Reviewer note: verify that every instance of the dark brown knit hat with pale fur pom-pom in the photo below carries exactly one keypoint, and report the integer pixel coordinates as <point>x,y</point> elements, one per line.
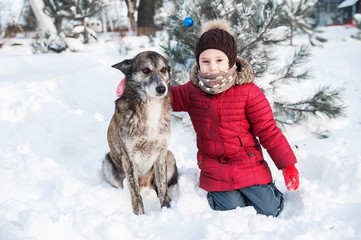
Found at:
<point>217,34</point>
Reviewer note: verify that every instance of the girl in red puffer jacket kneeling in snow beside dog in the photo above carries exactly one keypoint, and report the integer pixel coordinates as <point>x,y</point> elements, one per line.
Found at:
<point>228,111</point>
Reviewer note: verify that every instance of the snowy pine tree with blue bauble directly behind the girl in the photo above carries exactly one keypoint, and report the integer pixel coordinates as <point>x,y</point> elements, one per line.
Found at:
<point>258,30</point>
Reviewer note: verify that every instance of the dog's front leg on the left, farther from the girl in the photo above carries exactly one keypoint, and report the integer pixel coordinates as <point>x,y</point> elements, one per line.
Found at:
<point>132,177</point>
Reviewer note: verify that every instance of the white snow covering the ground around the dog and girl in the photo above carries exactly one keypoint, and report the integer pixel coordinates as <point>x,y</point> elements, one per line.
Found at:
<point>54,114</point>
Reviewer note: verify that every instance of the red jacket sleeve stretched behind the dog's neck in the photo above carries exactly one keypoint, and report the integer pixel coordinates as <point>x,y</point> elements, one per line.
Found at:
<point>180,97</point>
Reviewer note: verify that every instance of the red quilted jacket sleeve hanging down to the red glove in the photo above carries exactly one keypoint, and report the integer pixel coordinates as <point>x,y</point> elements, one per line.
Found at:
<point>260,116</point>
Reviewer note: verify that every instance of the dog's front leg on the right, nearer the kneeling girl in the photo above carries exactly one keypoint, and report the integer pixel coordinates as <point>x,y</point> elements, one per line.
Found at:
<point>160,170</point>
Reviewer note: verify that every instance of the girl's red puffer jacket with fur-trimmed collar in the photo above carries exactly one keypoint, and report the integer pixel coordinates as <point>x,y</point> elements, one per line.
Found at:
<point>229,155</point>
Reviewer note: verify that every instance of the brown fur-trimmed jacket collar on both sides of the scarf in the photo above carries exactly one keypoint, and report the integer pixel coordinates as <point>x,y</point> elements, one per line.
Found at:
<point>245,73</point>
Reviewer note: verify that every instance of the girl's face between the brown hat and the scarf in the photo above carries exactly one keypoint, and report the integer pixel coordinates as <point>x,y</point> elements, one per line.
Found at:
<point>213,61</point>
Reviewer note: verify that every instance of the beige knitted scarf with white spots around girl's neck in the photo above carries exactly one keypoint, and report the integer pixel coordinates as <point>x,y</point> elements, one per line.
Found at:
<point>217,82</point>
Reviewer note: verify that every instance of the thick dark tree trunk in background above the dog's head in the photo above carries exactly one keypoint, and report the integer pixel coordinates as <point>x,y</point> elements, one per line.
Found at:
<point>146,13</point>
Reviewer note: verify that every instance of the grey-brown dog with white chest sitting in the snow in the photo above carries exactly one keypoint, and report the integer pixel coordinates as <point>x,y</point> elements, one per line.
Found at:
<point>139,131</point>
